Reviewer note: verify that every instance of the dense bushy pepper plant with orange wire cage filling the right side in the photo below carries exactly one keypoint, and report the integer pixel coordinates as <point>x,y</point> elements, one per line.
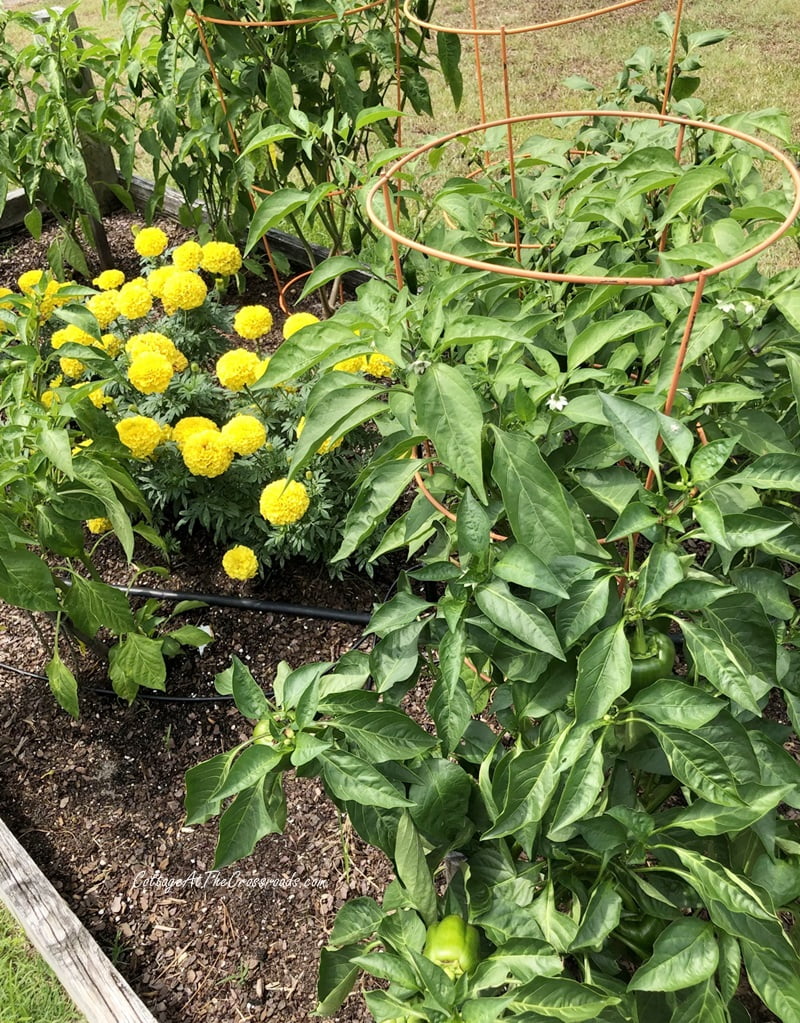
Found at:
<point>600,608</point>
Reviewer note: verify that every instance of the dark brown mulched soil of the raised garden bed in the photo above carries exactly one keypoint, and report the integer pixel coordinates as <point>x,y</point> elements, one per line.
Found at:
<point>99,803</point>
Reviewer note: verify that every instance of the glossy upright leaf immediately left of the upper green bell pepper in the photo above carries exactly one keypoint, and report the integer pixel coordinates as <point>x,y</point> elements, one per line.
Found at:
<point>604,675</point>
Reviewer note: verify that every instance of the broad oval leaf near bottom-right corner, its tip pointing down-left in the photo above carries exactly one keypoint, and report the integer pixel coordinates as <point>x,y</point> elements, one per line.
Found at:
<point>685,954</point>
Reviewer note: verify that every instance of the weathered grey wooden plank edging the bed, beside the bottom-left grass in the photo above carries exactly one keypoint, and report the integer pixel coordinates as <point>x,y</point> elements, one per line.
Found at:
<point>76,959</point>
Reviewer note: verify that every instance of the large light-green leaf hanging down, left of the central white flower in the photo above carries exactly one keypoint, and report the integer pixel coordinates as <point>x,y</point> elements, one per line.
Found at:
<point>450,413</point>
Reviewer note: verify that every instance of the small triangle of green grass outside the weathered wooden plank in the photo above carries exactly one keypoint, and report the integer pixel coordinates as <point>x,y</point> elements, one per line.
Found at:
<point>29,992</point>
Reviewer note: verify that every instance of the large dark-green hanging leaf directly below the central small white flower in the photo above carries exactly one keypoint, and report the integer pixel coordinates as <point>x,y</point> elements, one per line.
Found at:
<point>534,498</point>
